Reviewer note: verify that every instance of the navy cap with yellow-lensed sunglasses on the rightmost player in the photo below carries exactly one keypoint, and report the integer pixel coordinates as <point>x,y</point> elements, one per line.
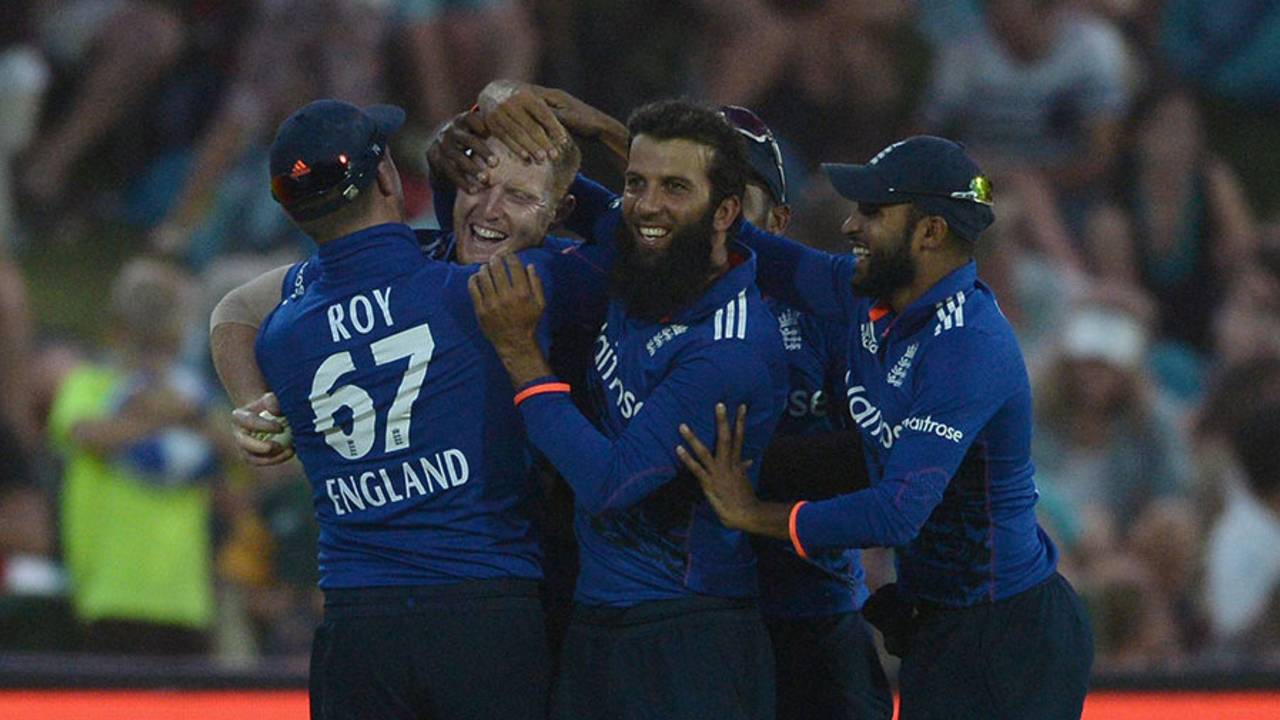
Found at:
<point>932,172</point>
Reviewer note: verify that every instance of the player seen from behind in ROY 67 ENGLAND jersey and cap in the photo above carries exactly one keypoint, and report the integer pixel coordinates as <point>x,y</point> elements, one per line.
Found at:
<point>403,418</point>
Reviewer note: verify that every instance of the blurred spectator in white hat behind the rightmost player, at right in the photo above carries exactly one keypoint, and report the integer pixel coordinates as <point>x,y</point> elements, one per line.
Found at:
<point>1104,445</point>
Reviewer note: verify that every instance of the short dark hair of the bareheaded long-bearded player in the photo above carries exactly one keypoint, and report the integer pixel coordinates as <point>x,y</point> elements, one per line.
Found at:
<point>683,120</point>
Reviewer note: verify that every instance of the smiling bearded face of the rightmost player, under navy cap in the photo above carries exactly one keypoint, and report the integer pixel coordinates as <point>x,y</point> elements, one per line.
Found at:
<point>881,238</point>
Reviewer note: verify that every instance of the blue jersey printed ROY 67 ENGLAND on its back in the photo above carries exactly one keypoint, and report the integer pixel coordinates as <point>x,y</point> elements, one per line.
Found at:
<point>403,414</point>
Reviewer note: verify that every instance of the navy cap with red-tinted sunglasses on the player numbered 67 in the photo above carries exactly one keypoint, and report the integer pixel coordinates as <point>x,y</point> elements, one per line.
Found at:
<point>326,154</point>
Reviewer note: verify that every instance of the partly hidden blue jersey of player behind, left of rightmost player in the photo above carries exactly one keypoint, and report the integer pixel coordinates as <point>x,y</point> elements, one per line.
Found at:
<point>833,582</point>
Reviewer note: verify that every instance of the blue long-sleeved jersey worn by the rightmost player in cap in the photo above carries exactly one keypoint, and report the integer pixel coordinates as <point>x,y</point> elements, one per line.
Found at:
<point>943,403</point>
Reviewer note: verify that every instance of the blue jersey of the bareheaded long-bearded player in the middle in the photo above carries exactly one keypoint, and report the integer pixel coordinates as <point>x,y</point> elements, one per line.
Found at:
<point>644,530</point>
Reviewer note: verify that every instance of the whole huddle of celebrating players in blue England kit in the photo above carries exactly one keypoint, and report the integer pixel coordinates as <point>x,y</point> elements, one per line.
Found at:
<point>737,416</point>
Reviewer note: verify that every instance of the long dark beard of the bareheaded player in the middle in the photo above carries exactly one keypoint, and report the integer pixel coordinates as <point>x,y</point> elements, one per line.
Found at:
<point>656,286</point>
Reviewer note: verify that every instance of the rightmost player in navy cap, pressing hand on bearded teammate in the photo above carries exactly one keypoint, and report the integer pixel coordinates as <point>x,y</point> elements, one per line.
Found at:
<point>939,390</point>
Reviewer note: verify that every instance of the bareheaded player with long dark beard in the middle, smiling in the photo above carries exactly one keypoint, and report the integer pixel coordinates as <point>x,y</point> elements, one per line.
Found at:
<point>666,621</point>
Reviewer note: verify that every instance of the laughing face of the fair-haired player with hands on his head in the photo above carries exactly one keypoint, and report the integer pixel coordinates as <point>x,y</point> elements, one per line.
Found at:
<point>513,213</point>
